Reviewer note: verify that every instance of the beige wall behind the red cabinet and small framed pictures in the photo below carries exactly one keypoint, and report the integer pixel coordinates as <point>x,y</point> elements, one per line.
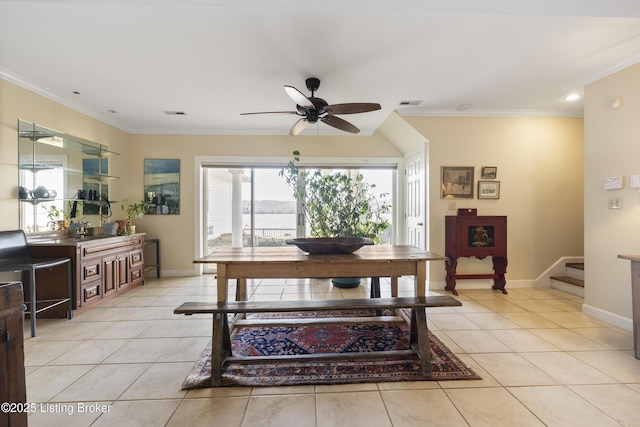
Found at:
<point>540,170</point>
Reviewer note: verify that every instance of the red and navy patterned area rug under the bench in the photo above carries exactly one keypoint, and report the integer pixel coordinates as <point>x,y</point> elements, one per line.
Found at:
<point>318,339</point>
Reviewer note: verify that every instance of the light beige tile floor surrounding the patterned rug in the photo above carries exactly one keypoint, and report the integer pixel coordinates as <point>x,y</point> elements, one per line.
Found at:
<point>542,362</point>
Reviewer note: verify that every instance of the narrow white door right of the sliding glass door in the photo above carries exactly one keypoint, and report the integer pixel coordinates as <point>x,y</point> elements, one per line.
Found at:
<point>415,198</point>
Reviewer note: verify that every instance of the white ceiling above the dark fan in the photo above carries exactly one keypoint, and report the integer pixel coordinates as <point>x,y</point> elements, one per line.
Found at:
<point>214,59</point>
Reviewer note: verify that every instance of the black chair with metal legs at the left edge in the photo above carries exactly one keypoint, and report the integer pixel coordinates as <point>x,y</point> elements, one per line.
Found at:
<point>14,256</point>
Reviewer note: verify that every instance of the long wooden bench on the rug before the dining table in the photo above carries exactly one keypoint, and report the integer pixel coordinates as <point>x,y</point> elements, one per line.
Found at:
<point>221,341</point>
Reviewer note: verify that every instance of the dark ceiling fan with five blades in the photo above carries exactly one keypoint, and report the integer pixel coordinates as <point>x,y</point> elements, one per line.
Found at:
<point>313,109</point>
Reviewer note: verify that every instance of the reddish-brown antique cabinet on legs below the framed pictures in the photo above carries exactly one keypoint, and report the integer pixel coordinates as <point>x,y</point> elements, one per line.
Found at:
<point>479,237</point>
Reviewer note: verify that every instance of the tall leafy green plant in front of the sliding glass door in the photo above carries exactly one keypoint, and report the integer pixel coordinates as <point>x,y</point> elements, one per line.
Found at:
<point>337,204</point>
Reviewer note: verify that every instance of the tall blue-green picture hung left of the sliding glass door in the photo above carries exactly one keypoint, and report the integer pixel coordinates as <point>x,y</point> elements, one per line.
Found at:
<point>162,186</point>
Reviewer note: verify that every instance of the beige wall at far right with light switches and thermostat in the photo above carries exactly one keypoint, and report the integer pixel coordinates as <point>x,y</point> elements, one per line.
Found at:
<point>612,148</point>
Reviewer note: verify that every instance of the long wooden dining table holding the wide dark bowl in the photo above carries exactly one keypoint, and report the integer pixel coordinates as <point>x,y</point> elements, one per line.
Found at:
<point>285,262</point>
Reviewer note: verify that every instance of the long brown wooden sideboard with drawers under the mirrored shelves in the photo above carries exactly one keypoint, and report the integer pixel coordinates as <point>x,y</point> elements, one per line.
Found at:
<point>104,267</point>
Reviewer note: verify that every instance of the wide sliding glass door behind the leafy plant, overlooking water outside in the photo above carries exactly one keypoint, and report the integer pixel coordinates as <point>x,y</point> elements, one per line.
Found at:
<point>253,205</point>
